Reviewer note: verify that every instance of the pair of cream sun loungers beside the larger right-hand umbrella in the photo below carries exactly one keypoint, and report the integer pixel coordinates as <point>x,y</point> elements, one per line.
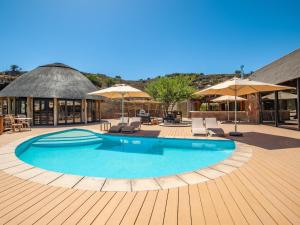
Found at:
<point>210,127</point>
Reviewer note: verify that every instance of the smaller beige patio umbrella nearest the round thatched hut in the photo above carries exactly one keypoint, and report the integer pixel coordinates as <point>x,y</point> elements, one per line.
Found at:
<point>120,91</point>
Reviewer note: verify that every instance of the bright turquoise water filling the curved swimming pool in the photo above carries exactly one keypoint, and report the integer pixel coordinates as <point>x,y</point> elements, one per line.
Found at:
<point>83,152</point>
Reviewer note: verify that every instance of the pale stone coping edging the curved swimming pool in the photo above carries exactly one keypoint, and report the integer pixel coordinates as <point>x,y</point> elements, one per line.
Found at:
<point>11,164</point>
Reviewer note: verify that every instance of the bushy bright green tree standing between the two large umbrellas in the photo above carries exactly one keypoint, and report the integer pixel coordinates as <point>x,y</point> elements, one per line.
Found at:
<point>170,90</point>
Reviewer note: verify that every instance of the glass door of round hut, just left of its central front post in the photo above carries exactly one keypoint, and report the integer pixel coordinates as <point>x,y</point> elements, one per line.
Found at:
<point>43,111</point>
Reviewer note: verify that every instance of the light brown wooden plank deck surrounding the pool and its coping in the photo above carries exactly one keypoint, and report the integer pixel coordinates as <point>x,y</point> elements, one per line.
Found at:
<point>266,190</point>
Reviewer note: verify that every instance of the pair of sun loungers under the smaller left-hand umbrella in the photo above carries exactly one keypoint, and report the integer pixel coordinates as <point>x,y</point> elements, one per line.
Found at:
<point>125,127</point>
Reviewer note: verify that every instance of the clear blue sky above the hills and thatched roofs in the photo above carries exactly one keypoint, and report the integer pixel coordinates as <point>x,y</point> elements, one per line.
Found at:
<point>139,39</point>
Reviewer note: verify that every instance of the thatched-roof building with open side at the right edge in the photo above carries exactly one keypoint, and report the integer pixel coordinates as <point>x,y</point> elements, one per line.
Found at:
<point>280,110</point>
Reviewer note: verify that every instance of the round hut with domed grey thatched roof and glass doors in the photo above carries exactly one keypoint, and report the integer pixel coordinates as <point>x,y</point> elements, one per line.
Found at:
<point>52,94</point>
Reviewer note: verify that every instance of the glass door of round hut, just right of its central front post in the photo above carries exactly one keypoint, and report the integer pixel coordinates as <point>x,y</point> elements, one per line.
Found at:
<point>69,111</point>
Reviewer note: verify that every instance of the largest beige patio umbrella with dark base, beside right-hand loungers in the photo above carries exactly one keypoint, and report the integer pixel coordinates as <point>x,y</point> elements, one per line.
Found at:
<point>236,87</point>
